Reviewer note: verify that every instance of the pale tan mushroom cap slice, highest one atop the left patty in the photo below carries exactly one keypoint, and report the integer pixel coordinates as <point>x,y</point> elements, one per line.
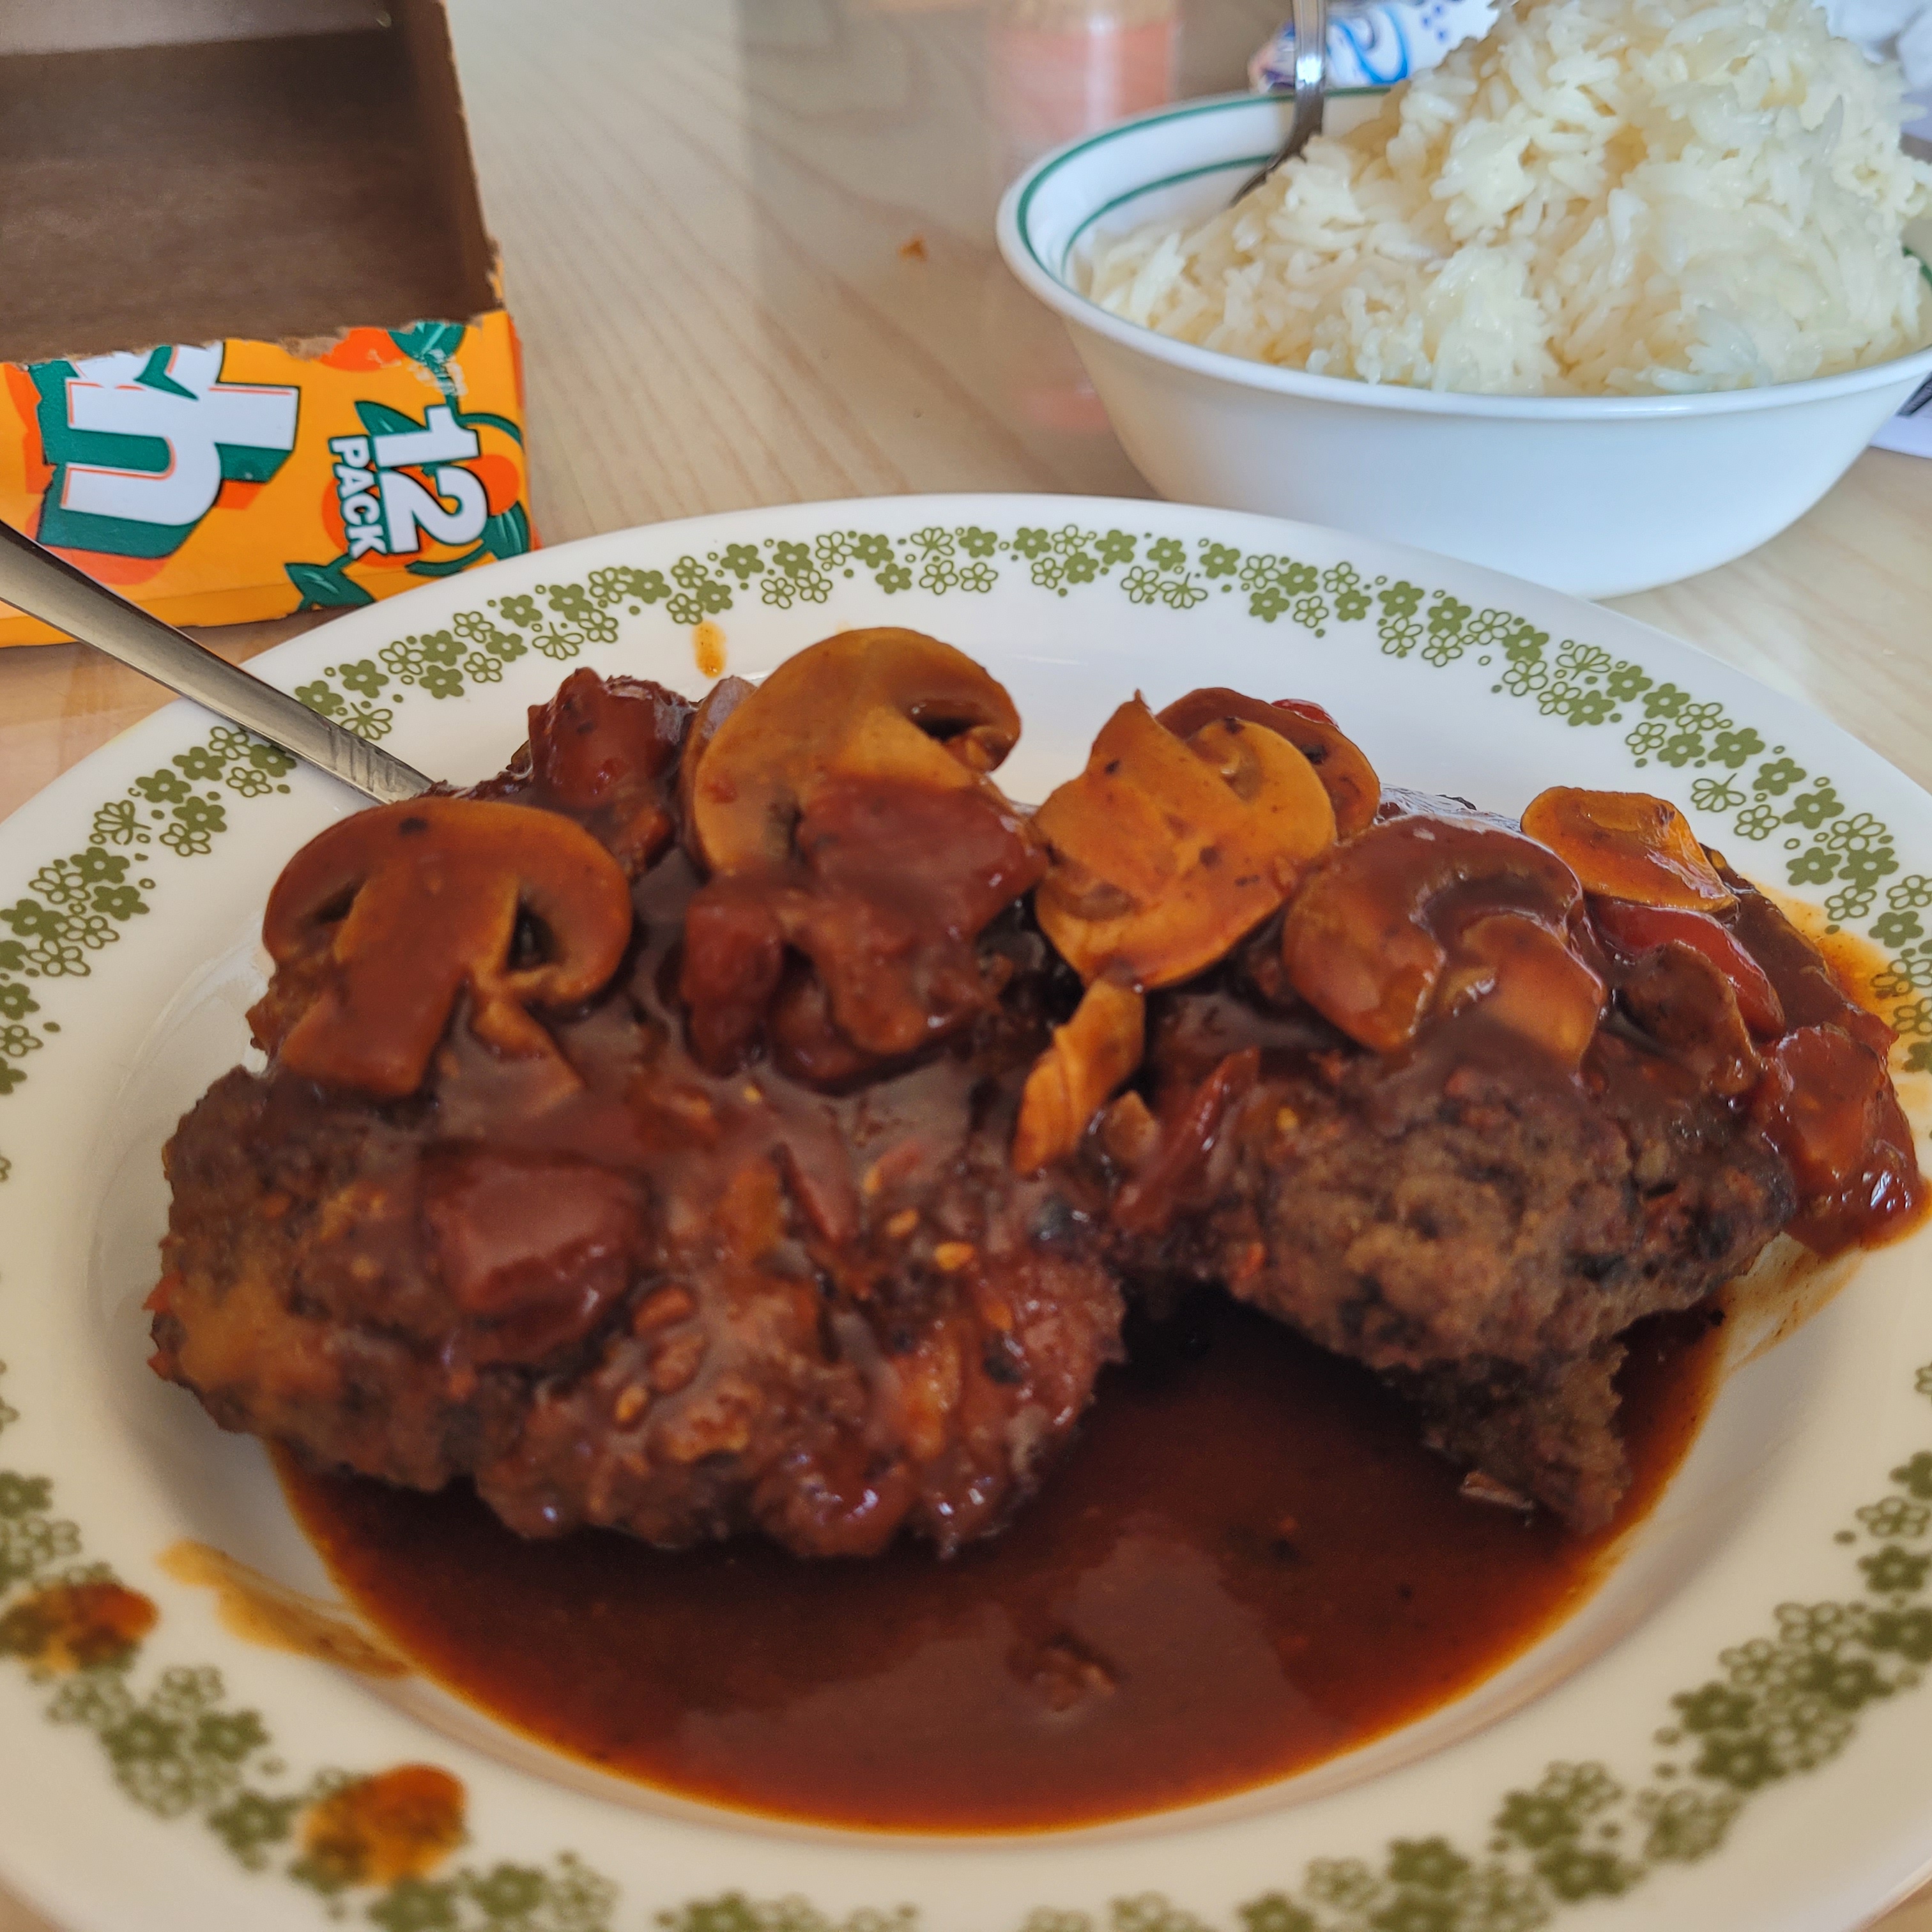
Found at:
<point>868,704</point>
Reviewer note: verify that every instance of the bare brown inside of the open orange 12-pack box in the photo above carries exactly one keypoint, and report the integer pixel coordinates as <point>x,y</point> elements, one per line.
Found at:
<point>270,188</point>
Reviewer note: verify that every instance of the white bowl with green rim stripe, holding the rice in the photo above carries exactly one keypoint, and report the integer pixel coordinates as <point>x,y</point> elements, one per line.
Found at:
<point>1595,496</point>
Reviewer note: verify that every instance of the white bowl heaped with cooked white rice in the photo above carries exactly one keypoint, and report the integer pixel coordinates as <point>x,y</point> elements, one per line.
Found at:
<point>1608,298</point>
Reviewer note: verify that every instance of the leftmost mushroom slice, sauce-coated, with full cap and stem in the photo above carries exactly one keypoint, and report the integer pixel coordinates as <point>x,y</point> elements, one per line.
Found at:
<point>397,913</point>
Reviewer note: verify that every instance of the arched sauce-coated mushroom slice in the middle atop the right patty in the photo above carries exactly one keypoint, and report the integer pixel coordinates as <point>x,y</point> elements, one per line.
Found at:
<point>1361,940</point>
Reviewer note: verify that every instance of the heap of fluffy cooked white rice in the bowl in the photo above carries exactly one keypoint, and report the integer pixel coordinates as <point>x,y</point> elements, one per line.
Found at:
<point>1603,196</point>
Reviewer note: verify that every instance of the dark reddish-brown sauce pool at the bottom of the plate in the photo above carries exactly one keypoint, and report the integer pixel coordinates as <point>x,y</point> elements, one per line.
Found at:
<point>1245,1566</point>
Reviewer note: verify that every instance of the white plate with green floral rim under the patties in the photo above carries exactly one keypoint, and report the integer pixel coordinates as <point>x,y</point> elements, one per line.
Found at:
<point>1730,1736</point>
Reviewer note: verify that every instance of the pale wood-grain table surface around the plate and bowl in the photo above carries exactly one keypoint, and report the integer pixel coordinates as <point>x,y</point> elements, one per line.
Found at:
<point>751,254</point>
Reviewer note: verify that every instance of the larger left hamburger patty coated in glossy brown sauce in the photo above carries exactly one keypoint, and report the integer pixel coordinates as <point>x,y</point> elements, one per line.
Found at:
<point>640,1292</point>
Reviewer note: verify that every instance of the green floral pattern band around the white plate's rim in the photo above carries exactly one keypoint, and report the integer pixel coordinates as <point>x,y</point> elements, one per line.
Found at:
<point>1776,1705</point>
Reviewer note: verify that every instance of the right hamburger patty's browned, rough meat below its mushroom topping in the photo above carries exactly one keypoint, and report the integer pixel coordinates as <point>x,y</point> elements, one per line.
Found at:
<point>1467,1224</point>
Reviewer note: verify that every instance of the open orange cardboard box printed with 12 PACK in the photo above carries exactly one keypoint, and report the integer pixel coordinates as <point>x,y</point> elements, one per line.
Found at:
<point>254,355</point>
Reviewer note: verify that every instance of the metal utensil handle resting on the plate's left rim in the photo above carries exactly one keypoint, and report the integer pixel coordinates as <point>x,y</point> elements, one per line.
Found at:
<point>45,586</point>
